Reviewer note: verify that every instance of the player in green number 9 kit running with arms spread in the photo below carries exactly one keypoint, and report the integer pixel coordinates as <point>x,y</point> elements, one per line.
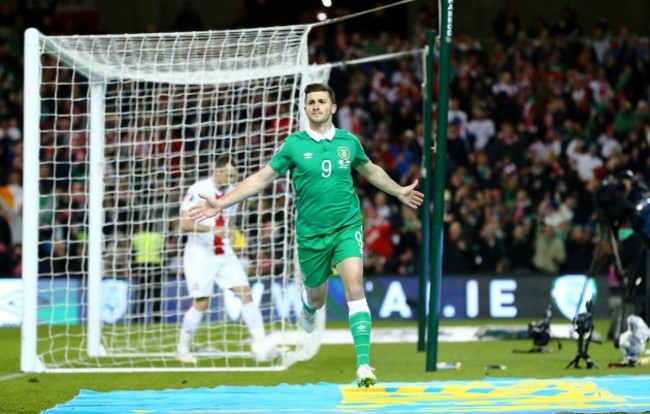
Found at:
<point>328,225</point>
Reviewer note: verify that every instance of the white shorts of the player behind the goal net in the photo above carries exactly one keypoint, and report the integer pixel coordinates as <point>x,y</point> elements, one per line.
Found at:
<point>203,268</point>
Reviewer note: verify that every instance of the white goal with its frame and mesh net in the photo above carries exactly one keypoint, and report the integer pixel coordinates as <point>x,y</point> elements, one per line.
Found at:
<point>117,127</point>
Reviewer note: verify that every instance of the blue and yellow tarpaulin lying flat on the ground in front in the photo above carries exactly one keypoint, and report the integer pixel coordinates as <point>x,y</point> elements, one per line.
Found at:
<point>627,393</point>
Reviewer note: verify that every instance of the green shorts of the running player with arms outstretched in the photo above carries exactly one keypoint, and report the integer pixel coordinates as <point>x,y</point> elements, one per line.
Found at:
<point>317,254</point>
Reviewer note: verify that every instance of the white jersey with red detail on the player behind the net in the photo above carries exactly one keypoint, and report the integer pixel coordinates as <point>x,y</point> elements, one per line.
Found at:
<point>191,198</point>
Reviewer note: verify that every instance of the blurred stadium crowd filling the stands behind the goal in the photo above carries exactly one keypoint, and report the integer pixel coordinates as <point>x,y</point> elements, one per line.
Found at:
<point>538,117</point>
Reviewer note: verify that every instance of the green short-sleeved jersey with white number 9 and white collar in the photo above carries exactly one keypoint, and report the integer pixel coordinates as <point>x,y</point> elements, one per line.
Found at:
<point>322,180</point>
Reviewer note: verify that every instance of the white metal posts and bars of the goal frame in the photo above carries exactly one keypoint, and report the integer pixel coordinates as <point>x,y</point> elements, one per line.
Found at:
<point>36,45</point>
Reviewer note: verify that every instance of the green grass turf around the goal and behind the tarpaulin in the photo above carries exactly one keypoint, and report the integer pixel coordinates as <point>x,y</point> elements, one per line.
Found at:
<point>32,393</point>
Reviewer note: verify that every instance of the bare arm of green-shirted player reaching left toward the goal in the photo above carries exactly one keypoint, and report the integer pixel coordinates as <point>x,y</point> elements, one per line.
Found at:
<point>252,185</point>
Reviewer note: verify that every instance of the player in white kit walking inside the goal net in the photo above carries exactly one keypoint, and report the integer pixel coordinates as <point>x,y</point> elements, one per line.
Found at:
<point>208,258</point>
